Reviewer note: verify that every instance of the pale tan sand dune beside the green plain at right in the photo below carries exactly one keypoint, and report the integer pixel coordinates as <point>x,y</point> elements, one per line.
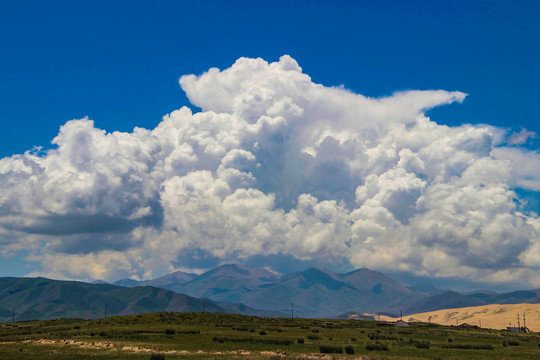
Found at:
<point>488,316</point>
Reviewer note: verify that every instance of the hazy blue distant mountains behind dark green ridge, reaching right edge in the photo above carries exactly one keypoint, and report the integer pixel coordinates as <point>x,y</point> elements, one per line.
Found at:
<point>318,292</point>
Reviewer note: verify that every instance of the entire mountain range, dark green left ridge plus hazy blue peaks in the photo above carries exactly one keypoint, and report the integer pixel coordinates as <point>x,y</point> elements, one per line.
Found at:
<point>233,288</point>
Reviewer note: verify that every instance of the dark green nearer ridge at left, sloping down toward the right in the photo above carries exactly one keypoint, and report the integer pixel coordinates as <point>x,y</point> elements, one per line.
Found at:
<point>40,298</point>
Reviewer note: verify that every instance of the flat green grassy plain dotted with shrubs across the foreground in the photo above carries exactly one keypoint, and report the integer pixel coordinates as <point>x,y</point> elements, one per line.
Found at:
<point>224,336</point>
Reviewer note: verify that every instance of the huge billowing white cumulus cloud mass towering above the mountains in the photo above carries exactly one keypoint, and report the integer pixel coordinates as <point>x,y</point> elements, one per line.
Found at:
<point>276,165</point>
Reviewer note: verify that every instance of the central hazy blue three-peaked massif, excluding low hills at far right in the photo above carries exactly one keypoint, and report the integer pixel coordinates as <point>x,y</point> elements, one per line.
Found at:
<point>315,292</point>
